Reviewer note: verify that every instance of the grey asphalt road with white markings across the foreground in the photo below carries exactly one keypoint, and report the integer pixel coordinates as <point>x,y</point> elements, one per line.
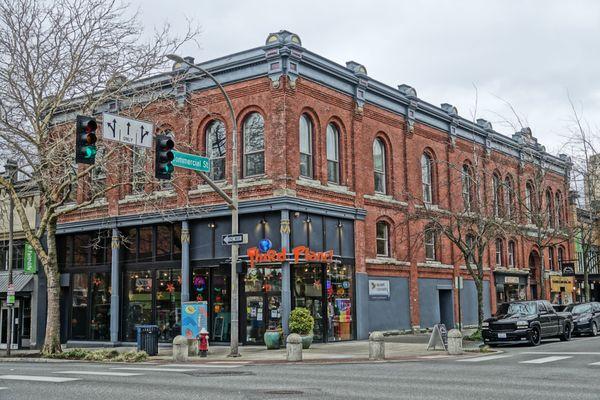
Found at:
<point>551,371</point>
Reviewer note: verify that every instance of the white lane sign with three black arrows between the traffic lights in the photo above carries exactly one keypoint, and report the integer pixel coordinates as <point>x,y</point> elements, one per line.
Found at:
<point>127,130</point>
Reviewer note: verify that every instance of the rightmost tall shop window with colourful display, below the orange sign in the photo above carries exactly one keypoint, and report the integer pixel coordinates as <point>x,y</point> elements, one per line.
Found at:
<point>339,290</point>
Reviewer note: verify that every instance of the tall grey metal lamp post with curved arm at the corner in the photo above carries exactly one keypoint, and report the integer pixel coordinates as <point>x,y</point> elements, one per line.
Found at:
<point>233,352</point>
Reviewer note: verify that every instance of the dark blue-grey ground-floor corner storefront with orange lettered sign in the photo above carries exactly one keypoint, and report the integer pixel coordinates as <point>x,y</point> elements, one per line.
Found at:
<point>153,280</point>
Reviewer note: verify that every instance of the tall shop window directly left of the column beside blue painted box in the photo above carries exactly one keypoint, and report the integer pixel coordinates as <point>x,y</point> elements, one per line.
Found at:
<point>168,302</point>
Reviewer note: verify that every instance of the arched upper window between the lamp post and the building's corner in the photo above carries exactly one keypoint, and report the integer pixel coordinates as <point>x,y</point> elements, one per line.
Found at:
<point>254,145</point>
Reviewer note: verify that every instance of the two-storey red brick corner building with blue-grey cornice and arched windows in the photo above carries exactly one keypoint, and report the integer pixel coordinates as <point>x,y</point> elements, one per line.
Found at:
<point>329,159</point>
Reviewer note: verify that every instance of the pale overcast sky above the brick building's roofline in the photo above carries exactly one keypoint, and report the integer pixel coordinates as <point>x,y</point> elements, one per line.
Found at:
<point>532,54</point>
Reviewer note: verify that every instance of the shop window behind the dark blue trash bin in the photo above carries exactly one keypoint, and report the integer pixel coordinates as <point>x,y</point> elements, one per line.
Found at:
<point>138,289</point>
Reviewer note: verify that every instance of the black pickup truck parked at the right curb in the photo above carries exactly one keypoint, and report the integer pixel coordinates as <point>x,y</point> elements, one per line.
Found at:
<point>527,321</point>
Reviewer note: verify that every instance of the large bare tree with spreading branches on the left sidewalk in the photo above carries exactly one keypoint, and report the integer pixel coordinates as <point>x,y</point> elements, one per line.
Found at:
<point>57,59</point>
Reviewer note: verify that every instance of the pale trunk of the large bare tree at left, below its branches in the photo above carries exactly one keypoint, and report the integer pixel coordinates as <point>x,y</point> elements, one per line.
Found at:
<point>52,339</point>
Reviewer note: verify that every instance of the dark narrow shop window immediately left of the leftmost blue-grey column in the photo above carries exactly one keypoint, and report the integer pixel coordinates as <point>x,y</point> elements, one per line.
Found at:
<point>100,310</point>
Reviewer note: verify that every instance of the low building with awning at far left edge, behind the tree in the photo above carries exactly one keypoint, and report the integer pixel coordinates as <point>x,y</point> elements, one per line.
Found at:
<point>30,302</point>
